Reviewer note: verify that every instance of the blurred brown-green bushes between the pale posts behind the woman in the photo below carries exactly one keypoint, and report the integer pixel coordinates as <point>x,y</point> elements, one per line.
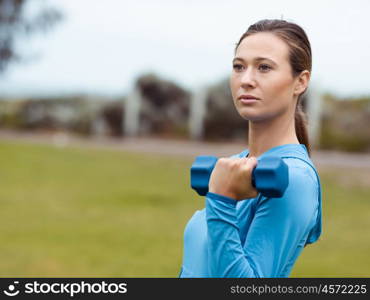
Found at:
<point>164,112</point>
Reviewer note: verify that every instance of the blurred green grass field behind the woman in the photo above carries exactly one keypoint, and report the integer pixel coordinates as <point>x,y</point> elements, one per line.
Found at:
<point>103,213</point>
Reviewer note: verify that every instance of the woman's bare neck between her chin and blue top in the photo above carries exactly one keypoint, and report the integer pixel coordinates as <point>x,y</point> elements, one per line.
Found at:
<point>264,135</point>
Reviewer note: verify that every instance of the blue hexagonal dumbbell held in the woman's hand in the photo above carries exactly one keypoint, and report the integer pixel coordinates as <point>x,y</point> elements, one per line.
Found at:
<point>269,177</point>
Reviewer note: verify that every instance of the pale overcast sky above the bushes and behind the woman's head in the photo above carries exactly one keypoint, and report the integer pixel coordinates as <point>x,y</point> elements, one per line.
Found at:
<point>102,46</point>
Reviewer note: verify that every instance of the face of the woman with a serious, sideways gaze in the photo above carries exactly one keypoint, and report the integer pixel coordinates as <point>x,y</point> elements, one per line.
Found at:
<point>261,69</point>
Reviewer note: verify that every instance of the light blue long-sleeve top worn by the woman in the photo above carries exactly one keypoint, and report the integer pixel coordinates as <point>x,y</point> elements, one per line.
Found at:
<point>256,237</point>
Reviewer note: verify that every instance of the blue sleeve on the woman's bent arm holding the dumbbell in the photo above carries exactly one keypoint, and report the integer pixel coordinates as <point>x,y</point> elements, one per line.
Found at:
<point>278,226</point>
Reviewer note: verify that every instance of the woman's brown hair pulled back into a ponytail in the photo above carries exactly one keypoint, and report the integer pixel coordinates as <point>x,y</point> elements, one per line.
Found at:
<point>300,57</point>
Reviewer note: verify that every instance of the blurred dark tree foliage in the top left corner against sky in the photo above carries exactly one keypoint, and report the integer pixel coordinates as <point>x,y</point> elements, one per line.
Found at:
<point>16,22</point>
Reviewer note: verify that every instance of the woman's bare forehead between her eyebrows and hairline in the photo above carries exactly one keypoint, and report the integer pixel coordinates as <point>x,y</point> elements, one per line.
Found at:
<point>264,44</point>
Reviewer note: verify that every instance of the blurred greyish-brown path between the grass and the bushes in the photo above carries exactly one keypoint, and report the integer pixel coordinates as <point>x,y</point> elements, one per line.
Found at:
<point>178,147</point>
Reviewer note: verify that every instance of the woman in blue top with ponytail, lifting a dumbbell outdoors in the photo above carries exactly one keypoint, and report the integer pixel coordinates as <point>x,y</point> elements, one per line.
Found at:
<point>241,233</point>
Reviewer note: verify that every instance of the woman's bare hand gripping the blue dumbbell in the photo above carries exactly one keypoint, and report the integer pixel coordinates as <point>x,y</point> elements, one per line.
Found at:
<point>232,177</point>
